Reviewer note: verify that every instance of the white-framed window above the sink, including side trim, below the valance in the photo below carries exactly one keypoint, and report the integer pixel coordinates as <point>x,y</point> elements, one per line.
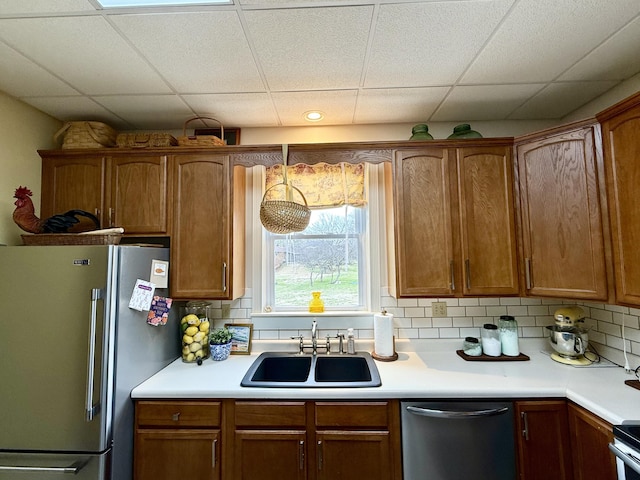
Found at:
<point>282,283</point>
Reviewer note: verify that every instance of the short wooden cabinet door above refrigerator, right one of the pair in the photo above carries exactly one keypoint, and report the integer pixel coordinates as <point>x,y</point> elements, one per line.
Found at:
<point>138,196</point>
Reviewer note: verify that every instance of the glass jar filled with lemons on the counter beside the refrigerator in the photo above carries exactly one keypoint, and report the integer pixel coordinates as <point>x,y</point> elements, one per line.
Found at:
<point>194,332</point>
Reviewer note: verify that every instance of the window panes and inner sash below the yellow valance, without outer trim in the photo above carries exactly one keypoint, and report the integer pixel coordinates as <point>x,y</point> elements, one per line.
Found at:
<point>328,257</point>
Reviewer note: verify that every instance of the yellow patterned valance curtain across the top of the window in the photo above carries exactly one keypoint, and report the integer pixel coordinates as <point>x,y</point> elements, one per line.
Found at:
<point>323,185</point>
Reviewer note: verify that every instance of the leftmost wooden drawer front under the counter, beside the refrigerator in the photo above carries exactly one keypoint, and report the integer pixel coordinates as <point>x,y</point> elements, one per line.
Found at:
<point>178,414</point>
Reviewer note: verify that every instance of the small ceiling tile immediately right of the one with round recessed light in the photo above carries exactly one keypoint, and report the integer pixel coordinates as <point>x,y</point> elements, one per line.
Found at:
<point>400,105</point>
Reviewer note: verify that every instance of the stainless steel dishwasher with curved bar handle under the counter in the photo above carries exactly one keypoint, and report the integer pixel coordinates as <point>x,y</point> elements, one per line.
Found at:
<point>461,439</point>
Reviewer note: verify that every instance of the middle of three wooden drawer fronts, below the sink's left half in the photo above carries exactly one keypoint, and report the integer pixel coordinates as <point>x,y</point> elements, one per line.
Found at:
<point>270,414</point>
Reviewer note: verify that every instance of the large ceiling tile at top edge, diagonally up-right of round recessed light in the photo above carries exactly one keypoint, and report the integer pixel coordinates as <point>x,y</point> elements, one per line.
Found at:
<point>429,44</point>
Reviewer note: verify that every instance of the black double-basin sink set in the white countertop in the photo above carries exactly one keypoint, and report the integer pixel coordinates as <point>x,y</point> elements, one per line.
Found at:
<point>291,370</point>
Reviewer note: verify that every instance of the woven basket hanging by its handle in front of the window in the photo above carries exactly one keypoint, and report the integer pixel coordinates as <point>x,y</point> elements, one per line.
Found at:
<point>284,216</point>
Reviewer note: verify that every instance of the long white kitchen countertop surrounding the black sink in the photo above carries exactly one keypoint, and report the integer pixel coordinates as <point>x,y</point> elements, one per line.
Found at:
<point>435,372</point>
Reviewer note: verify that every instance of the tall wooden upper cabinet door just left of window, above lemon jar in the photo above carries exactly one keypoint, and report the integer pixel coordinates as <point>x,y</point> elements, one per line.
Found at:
<point>200,234</point>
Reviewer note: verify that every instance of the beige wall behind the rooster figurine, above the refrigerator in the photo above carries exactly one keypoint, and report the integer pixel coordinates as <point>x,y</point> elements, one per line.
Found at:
<point>23,130</point>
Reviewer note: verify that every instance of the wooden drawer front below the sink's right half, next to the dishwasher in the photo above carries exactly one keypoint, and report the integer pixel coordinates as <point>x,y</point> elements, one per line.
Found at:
<point>352,414</point>
